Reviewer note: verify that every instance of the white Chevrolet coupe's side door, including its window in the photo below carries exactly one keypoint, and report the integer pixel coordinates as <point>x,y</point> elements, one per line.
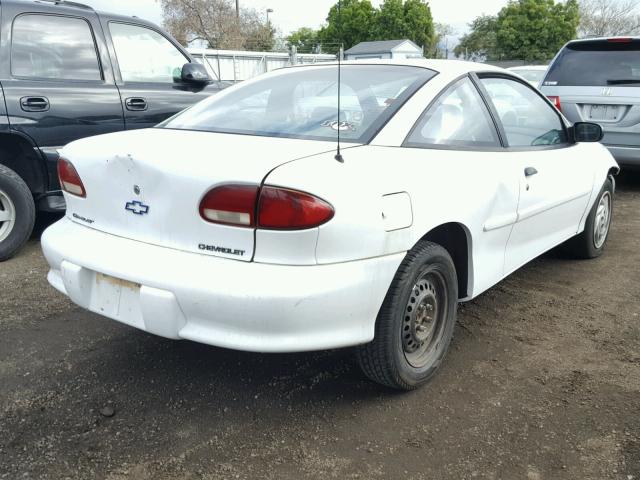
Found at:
<point>555,178</point>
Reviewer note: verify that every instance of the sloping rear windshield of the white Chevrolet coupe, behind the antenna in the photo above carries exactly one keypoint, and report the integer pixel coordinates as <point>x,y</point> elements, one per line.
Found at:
<point>303,103</point>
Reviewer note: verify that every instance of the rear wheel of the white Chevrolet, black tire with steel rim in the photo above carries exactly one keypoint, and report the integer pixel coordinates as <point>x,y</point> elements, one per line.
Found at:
<point>389,359</point>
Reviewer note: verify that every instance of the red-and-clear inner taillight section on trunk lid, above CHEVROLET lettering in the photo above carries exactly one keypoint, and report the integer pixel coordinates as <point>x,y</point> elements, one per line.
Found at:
<point>231,205</point>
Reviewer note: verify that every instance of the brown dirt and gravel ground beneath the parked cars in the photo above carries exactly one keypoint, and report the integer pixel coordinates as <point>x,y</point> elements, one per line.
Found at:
<point>543,382</point>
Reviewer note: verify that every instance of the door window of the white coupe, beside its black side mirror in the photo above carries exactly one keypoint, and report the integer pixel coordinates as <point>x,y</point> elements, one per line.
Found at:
<point>527,119</point>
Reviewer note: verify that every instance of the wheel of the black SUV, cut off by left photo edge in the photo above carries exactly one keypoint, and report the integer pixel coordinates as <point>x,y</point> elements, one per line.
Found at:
<point>18,193</point>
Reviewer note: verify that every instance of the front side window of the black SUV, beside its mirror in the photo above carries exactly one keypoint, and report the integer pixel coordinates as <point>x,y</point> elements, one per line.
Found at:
<point>144,55</point>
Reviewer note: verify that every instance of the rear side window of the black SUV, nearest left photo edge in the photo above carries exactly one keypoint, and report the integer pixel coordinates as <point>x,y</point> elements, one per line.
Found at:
<point>53,47</point>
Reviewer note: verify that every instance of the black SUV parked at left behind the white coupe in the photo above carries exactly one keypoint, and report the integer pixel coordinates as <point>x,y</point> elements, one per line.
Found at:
<point>68,72</point>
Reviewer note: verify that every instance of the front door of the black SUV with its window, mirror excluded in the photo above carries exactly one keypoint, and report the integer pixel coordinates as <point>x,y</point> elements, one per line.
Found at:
<point>149,71</point>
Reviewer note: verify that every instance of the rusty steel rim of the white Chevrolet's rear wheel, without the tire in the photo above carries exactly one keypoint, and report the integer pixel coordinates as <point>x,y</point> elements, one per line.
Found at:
<point>423,319</point>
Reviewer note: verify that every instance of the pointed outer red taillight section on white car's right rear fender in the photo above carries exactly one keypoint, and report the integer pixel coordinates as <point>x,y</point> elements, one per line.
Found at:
<point>284,209</point>
